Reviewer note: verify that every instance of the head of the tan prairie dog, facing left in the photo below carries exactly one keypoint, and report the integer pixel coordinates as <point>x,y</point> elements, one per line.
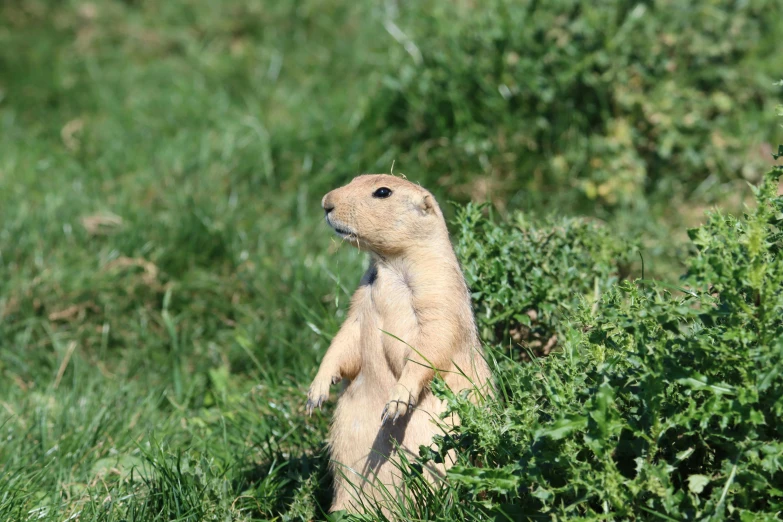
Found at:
<point>385,214</point>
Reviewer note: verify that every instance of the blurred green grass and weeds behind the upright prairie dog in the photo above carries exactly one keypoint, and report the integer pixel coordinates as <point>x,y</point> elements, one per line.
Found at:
<point>167,284</point>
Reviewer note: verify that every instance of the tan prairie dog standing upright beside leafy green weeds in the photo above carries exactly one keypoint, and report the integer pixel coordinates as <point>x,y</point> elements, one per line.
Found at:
<point>410,316</point>
